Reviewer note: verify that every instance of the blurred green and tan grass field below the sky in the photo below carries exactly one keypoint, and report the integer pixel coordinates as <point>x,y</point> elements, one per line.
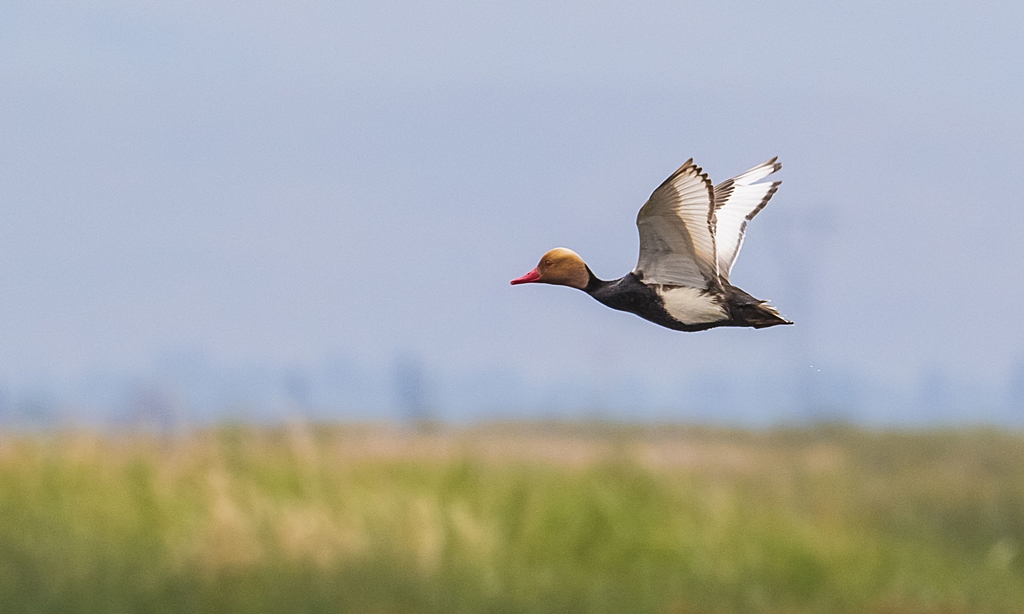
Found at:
<point>531,519</point>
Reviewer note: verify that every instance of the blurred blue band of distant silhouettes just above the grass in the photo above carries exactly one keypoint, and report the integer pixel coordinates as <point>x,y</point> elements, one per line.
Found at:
<point>192,389</point>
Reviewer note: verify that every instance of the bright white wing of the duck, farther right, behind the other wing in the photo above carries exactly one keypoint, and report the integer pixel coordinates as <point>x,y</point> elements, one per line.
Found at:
<point>737,202</point>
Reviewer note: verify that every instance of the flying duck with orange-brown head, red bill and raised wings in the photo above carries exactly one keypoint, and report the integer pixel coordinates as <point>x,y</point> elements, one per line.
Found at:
<point>691,235</point>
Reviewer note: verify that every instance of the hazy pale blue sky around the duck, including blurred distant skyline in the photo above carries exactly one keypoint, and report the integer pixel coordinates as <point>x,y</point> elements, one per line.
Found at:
<point>267,209</point>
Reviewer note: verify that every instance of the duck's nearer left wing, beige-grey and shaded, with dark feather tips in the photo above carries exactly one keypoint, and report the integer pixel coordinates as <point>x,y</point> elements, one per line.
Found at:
<point>677,232</point>
